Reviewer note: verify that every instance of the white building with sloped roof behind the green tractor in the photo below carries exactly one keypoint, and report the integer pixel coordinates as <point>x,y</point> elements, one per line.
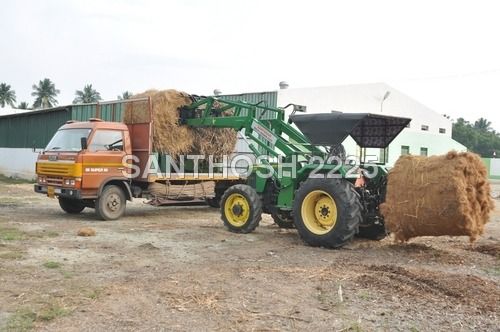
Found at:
<point>429,132</point>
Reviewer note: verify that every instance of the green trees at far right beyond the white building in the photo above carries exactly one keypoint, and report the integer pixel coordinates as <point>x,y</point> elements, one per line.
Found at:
<point>477,137</point>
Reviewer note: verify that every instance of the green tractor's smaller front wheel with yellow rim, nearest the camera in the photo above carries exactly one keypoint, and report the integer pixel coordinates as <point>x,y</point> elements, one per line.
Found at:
<point>241,208</point>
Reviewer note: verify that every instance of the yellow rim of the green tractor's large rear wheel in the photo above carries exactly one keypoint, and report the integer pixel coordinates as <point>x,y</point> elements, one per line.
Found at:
<point>319,212</point>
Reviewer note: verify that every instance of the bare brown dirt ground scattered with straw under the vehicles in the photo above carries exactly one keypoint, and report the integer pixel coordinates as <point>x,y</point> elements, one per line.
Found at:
<point>178,269</point>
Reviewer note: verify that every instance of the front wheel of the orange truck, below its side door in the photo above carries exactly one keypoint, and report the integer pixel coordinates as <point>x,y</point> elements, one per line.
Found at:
<point>110,205</point>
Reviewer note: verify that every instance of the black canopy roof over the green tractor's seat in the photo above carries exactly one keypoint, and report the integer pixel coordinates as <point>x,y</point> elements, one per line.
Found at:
<point>368,130</point>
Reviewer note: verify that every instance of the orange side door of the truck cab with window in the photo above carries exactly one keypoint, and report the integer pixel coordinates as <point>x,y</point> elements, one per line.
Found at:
<point>103,159</point>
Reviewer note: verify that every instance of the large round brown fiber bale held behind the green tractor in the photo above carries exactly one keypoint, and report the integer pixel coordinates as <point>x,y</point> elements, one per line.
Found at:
<point>438,195</point>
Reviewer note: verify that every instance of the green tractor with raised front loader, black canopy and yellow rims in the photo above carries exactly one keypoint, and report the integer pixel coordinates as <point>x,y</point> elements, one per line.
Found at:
<point>303,178</point>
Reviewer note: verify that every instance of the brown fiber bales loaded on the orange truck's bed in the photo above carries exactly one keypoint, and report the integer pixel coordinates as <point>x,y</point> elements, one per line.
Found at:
<point>169,137</point>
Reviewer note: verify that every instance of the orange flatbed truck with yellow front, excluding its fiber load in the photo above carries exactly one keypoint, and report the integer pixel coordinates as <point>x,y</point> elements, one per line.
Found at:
<point>89,164</point>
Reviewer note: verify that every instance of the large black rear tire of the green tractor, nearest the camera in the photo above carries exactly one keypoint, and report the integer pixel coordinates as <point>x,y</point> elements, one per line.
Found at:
<point>344,220</point>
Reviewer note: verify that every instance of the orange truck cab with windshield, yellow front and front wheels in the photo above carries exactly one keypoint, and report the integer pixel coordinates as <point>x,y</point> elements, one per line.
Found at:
<point>84,165</point>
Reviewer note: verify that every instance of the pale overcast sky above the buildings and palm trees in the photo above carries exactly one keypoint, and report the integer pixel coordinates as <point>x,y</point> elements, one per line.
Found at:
<point>445,54</point>
